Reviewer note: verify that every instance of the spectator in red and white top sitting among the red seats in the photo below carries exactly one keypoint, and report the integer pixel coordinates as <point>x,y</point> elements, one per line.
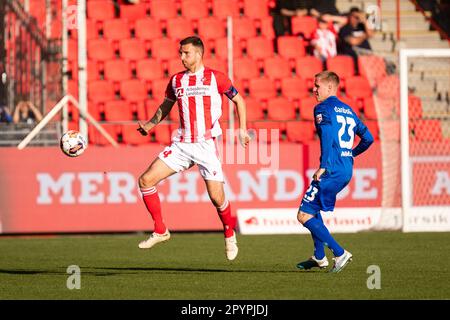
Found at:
<point>324,40</point>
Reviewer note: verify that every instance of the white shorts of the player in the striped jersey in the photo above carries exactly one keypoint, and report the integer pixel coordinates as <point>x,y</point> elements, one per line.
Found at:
<point>180,156</point>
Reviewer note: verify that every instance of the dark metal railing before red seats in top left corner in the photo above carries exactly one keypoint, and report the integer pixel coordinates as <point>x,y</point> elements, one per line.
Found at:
<point>29,62</point>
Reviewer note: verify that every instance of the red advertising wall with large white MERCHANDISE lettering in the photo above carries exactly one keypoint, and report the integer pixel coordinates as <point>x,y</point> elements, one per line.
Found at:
<point>43,191</point>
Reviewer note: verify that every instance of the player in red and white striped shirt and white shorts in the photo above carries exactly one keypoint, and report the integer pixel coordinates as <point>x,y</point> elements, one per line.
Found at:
<point>198,93</point>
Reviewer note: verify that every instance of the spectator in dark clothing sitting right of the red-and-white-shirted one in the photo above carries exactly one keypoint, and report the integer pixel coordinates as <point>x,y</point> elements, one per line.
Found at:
<point>353,37</point>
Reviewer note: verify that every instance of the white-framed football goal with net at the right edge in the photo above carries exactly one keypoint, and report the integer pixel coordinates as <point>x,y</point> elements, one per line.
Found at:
<point>425,140</point>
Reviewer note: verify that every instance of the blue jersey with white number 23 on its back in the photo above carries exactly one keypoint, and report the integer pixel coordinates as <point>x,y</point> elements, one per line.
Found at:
<point>337,124</point>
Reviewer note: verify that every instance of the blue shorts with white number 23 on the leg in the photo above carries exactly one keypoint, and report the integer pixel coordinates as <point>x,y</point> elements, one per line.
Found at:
<point>321,195</point>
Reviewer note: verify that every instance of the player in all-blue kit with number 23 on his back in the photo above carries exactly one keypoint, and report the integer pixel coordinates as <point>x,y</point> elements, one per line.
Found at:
<point>336,125</point>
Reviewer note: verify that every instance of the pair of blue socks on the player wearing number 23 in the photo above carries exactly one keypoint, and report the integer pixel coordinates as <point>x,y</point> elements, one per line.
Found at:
<point>320,232</point>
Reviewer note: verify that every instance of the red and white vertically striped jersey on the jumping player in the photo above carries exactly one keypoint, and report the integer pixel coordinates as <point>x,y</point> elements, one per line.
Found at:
<point>199,99</point>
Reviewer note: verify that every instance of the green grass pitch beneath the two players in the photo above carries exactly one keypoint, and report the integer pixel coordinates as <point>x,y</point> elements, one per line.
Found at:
<point>193,266</point>
